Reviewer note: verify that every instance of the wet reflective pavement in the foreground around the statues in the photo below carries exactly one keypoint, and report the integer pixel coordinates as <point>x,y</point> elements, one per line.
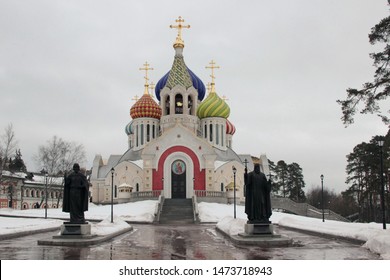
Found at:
<point>195,242</point>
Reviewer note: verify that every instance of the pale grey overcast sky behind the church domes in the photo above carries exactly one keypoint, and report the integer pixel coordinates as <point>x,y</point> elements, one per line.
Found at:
<point>71,68</point>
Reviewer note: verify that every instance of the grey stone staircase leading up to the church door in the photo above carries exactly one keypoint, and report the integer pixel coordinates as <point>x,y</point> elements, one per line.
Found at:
<point>177,211</point>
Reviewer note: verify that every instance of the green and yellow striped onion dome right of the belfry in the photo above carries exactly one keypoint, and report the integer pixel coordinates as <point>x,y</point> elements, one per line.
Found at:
<point>213,106</point>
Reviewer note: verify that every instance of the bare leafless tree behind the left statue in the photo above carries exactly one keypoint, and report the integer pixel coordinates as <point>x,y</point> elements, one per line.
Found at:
<point>58,155</point>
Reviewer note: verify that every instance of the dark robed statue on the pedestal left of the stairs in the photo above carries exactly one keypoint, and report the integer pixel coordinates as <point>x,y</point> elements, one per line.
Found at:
<point>76,190</point>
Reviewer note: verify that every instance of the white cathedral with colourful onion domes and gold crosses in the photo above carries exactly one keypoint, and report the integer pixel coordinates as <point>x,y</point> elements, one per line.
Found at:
<point>179,146</point>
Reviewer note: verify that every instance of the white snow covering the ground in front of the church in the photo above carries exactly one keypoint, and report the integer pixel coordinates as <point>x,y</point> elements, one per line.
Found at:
<point>376,239</point>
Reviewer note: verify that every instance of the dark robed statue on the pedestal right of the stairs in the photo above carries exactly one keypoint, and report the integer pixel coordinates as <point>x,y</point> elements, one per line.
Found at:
<point>257,197</point>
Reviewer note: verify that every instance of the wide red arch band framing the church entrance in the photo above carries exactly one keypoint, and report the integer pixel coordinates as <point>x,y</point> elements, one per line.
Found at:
<point>199,175</point>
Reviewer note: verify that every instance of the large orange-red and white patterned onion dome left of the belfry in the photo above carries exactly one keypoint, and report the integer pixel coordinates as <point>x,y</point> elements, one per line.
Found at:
<point>145,107</point>
